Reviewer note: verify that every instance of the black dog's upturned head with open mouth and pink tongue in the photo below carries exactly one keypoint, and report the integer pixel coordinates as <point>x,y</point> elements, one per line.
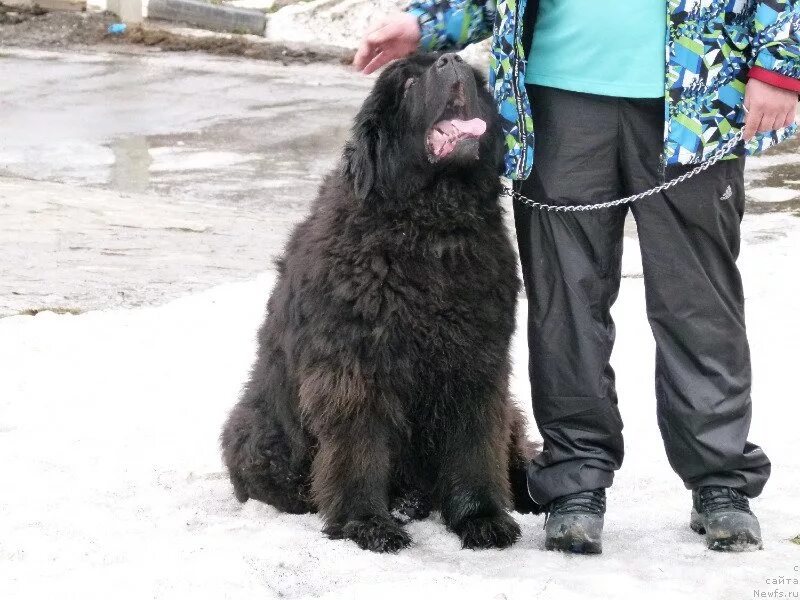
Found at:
<point>428,116</point>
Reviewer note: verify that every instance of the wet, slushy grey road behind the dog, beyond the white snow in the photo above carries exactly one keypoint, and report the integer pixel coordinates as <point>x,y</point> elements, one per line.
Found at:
<point>180,171</point>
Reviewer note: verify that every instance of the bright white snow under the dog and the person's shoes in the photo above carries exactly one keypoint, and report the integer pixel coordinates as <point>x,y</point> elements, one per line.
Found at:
<point>113,487</point>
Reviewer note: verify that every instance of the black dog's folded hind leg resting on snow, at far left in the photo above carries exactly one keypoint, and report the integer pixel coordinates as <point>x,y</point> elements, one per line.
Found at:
<point>262,463</point>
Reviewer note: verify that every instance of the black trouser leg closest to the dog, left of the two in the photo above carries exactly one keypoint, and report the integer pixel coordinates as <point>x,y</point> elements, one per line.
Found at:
<point>571,269</point>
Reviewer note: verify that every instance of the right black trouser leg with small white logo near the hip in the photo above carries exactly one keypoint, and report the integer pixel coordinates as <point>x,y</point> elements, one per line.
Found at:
<point>689,237</point>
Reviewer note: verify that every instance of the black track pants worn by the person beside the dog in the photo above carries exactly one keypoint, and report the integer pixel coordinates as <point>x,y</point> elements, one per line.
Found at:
<point>591,149</point>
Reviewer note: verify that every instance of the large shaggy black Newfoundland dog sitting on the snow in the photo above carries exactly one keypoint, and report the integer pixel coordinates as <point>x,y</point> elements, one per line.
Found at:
<point>380,389</point>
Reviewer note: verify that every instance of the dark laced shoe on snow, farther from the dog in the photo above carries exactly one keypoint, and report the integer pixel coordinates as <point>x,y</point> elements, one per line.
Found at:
<point>723,515</point>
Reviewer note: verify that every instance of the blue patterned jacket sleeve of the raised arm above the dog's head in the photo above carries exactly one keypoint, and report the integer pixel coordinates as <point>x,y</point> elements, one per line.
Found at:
<point>454,24</point>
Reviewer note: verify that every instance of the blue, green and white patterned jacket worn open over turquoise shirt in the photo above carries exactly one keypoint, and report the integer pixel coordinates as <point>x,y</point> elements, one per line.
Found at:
<point>710,47</point>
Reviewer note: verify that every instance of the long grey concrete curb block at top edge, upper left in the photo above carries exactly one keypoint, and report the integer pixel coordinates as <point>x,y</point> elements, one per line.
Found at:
<point>210,16</point>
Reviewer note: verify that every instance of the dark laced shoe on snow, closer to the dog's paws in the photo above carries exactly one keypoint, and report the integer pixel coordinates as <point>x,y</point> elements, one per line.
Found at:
<point>574,522</point>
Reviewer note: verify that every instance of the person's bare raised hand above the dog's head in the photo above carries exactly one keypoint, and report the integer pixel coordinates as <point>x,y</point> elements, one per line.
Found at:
<point>392,38</point>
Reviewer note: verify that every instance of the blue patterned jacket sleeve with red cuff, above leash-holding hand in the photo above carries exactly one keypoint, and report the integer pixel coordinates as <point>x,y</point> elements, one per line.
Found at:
<point>776,41</point>
